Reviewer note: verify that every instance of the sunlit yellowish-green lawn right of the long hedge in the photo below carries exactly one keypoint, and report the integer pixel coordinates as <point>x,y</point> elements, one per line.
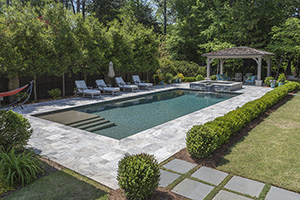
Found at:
<point>270,152</point>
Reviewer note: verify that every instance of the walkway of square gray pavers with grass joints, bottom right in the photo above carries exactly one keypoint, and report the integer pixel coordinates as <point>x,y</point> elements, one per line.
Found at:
<point>199,183</point>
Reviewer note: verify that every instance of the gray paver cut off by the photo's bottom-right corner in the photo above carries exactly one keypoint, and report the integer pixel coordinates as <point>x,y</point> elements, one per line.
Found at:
<point>276,193</point>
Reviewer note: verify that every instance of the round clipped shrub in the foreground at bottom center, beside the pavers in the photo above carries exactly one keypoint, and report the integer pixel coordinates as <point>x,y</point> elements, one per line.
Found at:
<point>138,175</point>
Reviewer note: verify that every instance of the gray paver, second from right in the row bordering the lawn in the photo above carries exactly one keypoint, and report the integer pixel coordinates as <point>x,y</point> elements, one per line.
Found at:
<point>245,186</point>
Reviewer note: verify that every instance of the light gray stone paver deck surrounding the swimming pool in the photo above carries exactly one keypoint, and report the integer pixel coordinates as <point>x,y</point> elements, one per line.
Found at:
<point>97,156</point>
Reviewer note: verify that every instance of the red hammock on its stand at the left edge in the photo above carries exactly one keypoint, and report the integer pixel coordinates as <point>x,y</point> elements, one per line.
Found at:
<point>13,92</point>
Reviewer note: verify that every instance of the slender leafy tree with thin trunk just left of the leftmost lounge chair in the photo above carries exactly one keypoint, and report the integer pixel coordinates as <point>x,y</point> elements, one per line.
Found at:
<point>64,51</point>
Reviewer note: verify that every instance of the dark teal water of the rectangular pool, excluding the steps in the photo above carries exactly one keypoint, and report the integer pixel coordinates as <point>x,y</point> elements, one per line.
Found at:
<point>132,116</point>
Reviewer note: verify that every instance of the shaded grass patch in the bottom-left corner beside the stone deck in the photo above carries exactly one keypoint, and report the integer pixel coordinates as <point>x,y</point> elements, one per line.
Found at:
<point>63,184</point>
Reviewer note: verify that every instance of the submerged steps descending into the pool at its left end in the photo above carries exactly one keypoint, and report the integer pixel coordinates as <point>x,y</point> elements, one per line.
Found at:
<point>93,124</point>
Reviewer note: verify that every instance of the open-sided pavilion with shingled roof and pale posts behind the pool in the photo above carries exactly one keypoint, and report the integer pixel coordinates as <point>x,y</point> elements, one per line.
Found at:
<point>240,52</point>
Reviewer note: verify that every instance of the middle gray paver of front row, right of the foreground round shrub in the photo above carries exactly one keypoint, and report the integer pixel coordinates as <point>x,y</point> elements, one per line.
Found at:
<point>193,189</point>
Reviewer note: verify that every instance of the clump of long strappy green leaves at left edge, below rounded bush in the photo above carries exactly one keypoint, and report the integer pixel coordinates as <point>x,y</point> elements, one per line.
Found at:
<point>19,168</point>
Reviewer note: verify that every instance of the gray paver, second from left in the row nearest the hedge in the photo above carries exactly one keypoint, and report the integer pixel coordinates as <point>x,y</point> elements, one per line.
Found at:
<point>210,175</point>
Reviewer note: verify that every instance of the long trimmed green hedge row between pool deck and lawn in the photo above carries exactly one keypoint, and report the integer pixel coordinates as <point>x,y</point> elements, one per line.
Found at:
<point>202,140</point>
